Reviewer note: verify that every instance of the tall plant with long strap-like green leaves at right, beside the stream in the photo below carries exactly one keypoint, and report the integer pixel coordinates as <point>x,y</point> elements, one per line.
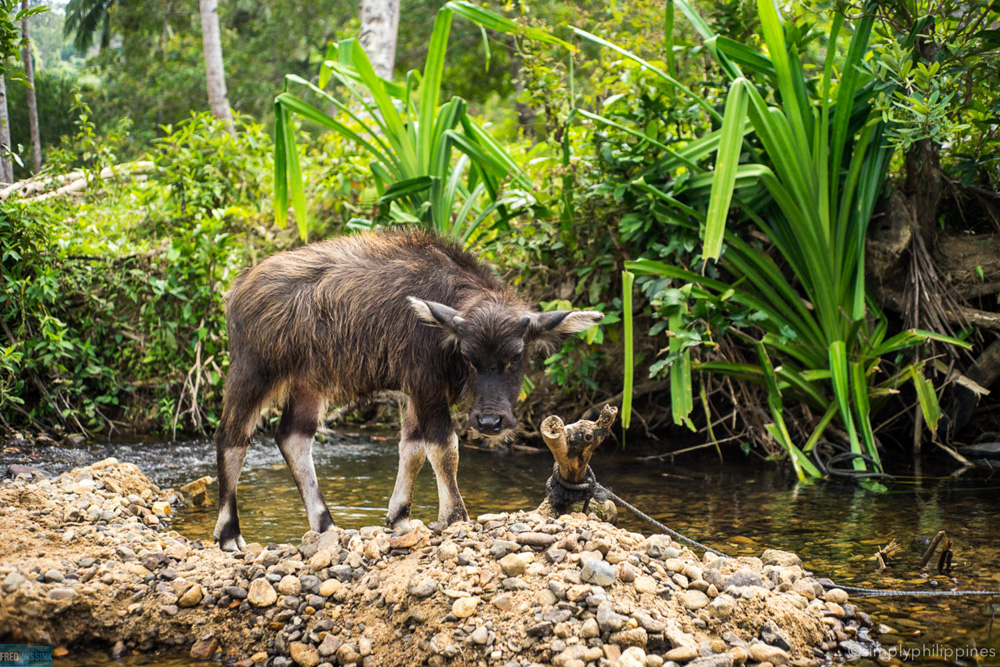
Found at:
<point>823,163</point>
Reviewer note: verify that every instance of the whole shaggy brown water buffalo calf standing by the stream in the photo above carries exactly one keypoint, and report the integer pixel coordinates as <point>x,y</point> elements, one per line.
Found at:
<point>348,318</point>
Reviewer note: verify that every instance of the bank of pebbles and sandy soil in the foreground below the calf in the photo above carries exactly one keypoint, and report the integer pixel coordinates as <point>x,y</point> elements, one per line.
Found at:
<point>87,558</point>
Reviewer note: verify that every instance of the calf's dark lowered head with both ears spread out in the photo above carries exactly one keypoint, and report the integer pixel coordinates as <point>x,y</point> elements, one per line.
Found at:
<point>496,340</point>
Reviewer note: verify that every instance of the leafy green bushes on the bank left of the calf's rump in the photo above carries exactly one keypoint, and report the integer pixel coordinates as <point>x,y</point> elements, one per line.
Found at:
<point>113,303</point>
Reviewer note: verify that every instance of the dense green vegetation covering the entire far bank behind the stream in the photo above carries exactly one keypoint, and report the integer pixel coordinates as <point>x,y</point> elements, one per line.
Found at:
<point>742,164</point>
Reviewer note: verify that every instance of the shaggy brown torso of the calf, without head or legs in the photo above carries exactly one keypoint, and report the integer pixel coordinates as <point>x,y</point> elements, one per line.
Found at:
<point>334,316</point>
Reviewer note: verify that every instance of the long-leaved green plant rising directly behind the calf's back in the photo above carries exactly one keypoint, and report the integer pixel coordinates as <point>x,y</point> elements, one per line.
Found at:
<point>411,145</point>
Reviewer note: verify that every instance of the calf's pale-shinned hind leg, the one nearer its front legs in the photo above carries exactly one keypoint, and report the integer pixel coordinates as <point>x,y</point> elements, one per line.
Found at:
<point>296,429</point>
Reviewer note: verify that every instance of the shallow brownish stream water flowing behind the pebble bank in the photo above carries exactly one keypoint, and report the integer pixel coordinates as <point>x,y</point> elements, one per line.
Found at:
<point>738,507</point>
